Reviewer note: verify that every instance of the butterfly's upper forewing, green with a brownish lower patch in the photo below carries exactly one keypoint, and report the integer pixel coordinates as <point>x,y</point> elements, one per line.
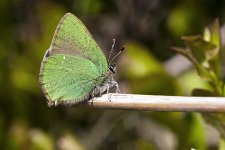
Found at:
<point>72,37</point>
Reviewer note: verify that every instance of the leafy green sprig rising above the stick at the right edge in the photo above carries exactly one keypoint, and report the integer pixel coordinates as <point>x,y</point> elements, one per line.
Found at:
<point>205,53</point>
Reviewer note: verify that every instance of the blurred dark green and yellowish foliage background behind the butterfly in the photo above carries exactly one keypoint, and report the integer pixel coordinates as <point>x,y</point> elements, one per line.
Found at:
<point>148,28</point>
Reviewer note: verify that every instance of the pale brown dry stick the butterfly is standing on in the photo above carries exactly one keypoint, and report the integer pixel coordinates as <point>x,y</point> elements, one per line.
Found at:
<point>159,103</point>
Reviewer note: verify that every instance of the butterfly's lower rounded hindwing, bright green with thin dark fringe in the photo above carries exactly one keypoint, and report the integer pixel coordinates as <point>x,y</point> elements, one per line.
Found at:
<point>63,81</point>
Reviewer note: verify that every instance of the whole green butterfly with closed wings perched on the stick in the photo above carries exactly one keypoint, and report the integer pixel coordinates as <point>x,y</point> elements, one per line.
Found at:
<point>74,68</point>
